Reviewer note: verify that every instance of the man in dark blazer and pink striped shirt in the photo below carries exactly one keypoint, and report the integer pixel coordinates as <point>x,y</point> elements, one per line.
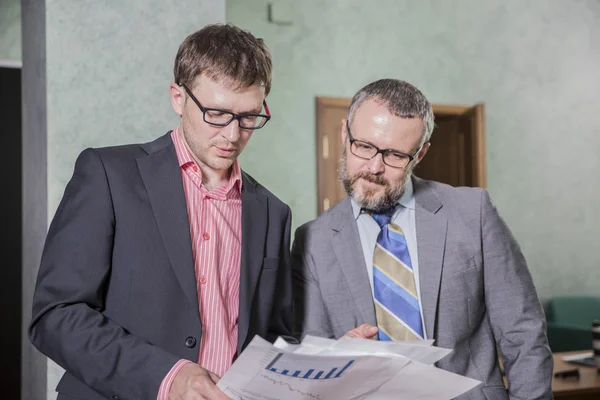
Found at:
<point>164,259</point>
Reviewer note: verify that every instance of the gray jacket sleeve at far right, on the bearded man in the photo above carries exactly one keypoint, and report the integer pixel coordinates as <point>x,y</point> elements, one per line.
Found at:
<point>515,312</point>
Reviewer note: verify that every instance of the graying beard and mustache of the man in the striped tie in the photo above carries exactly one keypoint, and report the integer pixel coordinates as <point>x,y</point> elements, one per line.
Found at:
<point>368,201</point>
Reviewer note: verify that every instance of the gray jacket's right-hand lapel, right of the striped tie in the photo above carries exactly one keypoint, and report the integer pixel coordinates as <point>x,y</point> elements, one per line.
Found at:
<point>431,243</point>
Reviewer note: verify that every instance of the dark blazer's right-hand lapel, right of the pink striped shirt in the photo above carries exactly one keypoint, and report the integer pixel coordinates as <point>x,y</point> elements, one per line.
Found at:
<point>254,231</point>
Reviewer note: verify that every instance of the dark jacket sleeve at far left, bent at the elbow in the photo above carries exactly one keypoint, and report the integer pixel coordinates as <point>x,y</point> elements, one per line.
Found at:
<point>68,324</point>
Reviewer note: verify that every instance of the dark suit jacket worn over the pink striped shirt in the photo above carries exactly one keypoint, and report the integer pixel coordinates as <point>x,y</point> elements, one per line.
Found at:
<point>116,302</point>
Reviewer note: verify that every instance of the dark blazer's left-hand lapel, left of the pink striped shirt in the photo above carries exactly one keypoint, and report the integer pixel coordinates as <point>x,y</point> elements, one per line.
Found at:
<point>162,178</point>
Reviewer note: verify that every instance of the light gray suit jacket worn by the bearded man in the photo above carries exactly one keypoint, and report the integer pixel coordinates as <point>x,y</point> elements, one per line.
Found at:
<point>476,290</point>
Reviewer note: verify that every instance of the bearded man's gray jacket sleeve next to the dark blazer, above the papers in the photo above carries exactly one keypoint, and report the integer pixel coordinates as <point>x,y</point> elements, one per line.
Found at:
<point>310,314</point>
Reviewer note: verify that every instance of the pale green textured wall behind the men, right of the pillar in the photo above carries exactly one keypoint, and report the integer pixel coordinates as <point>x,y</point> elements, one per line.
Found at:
<point>535,64</point>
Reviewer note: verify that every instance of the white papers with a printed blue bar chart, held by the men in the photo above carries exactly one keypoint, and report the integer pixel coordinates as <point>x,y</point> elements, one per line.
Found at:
<point>324,369</point>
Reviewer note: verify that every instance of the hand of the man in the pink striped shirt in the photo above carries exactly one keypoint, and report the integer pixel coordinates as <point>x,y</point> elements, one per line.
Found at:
<point>193,382</point>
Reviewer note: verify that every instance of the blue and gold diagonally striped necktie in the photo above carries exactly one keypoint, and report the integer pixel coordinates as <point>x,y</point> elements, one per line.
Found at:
<point>395,291</point>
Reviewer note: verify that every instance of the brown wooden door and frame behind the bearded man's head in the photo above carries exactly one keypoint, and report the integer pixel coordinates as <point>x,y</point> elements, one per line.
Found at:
<point>456,155</point>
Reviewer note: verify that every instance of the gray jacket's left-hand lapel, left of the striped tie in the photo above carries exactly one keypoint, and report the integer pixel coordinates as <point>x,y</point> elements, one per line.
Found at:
<point>348,251</point>
